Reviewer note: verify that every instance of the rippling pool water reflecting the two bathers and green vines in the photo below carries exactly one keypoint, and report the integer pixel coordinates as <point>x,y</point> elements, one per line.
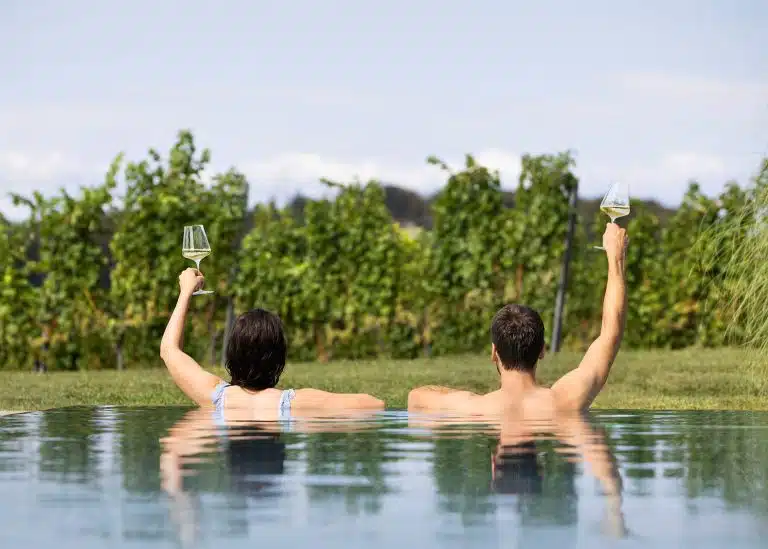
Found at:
<point>179,477</point>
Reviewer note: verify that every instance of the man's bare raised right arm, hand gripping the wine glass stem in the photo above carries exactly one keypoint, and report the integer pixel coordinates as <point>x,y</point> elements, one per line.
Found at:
<point>579,387</point>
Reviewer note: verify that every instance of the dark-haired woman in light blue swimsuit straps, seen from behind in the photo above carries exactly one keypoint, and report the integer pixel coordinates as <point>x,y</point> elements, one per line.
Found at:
<point>255,358</point>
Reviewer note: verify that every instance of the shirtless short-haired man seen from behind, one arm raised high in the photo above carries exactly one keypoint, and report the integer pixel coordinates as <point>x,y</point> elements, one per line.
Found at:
<point>517,335</point>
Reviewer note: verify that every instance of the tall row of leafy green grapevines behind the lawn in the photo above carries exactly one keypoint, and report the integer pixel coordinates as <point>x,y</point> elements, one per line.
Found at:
<point>89,281</point>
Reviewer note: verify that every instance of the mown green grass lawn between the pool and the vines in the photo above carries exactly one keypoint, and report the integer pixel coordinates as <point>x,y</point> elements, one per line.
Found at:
<point>690,379</point>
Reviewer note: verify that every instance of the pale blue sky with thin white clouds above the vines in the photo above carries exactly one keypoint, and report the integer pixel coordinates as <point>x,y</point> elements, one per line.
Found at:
<point>649,93</point>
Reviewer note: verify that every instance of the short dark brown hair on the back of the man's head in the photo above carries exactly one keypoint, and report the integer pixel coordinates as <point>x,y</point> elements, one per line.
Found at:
<point>517,332</point>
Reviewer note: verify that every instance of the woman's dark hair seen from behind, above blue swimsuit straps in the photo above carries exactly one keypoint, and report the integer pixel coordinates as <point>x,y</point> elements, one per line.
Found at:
<point>256,350</point>
